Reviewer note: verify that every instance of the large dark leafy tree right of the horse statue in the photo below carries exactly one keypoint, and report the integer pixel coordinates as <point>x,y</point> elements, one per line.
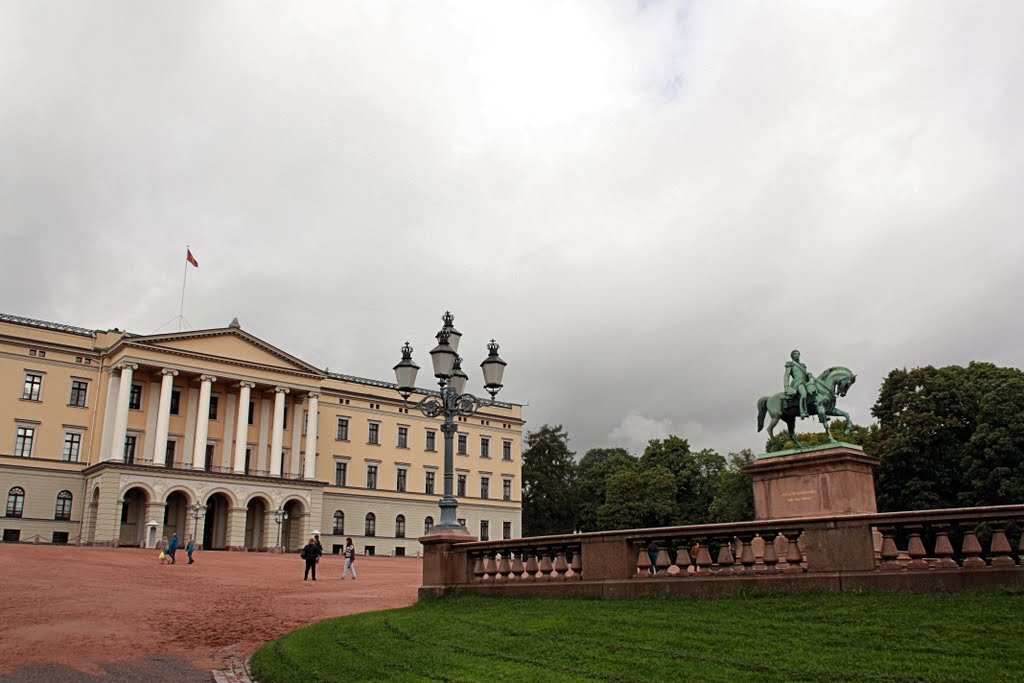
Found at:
<point>943,433</point>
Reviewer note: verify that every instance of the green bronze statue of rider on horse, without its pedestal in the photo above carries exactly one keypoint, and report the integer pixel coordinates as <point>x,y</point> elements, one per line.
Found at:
<point>805,396</point>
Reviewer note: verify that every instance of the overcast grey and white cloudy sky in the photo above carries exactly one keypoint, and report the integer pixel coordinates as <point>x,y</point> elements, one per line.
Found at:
<point>649,205</point>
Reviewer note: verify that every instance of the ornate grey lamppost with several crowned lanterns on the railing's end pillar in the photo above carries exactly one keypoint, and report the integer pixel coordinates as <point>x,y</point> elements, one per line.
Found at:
<point>450,401</point>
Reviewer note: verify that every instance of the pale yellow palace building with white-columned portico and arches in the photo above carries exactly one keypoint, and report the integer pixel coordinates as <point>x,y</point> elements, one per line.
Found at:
<point>109,438</point>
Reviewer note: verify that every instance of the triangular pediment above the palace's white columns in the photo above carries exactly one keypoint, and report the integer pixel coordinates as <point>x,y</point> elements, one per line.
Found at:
<point>230,345</point>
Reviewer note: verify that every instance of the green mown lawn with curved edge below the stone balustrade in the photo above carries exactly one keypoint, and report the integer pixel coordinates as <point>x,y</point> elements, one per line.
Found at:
<point>808,637</point>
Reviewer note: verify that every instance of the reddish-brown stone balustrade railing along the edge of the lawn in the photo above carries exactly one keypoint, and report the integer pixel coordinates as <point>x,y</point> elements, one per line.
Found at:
<point>931,550</point>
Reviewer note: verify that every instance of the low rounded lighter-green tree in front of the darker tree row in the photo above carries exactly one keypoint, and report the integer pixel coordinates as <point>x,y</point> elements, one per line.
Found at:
<point>636,500</point>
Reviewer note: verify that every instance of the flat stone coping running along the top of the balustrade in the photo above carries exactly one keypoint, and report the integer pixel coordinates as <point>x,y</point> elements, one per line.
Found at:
<point>987,514</point>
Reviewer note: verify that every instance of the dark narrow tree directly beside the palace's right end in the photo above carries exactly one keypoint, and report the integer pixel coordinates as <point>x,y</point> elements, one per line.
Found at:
<point>548,483</point>
